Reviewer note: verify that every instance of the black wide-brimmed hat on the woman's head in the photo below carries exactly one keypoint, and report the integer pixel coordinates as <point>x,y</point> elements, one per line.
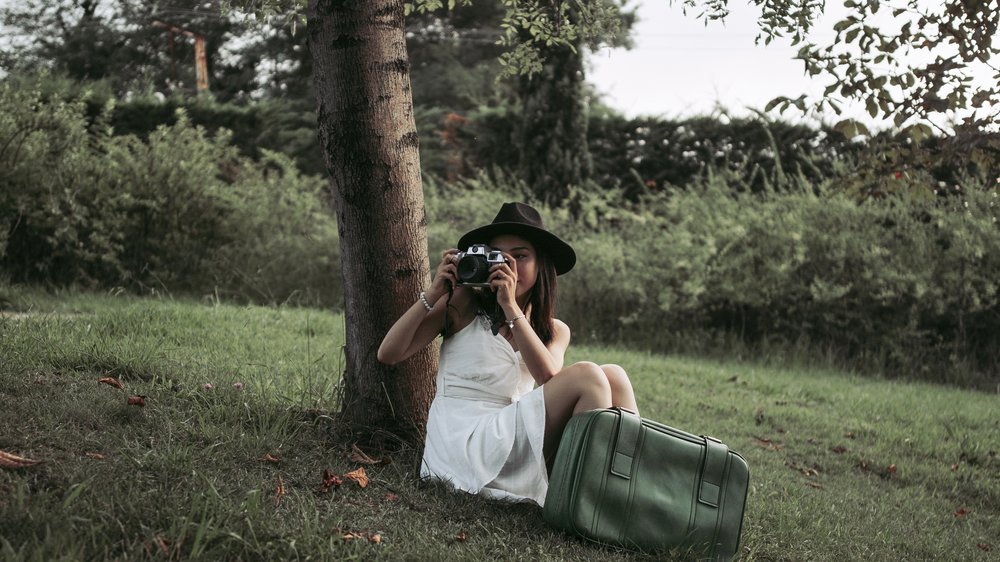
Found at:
<point>524,221</point>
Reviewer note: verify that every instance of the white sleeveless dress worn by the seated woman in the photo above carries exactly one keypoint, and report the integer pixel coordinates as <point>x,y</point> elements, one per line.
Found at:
<point>486,424</point>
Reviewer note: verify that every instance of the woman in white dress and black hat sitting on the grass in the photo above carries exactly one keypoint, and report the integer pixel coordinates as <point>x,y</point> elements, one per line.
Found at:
<point>490,429</point>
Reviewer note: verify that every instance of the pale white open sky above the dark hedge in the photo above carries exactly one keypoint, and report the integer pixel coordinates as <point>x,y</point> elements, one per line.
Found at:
<point>679,67</point>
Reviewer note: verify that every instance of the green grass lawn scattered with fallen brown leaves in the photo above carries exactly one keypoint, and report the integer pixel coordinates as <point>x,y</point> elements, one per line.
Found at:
<point>226,459</point>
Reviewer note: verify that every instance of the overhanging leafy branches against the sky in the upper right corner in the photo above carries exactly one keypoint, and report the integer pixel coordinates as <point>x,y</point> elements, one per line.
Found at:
<point>911,61</point>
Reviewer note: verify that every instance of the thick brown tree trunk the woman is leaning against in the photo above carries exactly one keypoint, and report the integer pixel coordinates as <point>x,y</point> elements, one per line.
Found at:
<point>368,134</point>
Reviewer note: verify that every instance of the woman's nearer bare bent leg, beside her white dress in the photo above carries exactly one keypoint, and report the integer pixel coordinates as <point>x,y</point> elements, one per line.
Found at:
<point>577,388</point>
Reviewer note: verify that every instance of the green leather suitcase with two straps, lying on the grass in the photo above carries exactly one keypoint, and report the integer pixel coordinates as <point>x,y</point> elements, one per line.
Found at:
<point>631,482</point>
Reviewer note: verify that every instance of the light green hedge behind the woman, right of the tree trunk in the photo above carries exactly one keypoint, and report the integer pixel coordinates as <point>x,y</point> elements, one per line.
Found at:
<point>904,286</point>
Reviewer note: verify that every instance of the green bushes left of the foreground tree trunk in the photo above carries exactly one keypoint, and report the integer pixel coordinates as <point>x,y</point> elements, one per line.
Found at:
<point>178,211</point>
